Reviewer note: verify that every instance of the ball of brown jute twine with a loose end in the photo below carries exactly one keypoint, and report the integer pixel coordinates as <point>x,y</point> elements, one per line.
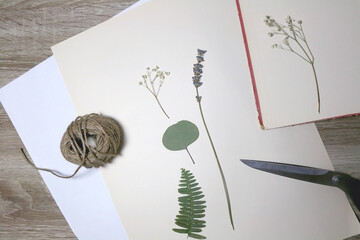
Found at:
<point>90,141</point>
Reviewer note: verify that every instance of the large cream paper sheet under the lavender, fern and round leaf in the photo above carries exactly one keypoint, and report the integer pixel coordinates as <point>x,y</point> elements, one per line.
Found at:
<point>102,68</point>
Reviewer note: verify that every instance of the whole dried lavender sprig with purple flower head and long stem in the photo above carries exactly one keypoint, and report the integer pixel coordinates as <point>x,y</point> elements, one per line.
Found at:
<point>197,83</point>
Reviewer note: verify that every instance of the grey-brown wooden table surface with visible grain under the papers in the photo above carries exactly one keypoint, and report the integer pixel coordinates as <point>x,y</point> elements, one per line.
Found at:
<point>27,31</point>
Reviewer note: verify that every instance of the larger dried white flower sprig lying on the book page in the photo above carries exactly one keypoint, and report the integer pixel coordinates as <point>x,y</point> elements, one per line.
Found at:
<point>294,41</point>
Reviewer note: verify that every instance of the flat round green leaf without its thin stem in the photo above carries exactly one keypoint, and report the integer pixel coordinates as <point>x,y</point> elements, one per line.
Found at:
<point>180,135</point>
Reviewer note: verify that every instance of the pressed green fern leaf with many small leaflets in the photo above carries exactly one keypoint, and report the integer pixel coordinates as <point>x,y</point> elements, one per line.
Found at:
<point>192,207</point>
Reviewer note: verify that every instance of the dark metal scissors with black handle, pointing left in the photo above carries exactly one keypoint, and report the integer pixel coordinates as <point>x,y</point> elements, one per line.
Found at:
<point>348,184</point>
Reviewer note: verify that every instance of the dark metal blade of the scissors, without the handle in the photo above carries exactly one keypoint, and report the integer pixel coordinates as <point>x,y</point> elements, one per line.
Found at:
<point>308,174</point>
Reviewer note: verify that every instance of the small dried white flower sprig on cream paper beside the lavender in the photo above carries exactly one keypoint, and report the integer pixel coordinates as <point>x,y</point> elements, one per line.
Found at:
<point>153,81</point>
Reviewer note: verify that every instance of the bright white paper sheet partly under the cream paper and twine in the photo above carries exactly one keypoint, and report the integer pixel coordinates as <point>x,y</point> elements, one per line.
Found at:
<point>40,108</point>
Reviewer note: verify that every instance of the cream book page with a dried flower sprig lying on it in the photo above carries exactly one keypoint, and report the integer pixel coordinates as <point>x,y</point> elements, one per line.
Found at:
<point>304,58</point>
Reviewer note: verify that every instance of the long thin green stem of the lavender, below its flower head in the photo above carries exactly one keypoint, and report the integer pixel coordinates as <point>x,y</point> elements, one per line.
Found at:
<point>217,160</point>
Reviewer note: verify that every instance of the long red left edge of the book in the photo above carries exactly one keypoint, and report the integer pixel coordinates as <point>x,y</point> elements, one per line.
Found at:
<point>257,102</point>
